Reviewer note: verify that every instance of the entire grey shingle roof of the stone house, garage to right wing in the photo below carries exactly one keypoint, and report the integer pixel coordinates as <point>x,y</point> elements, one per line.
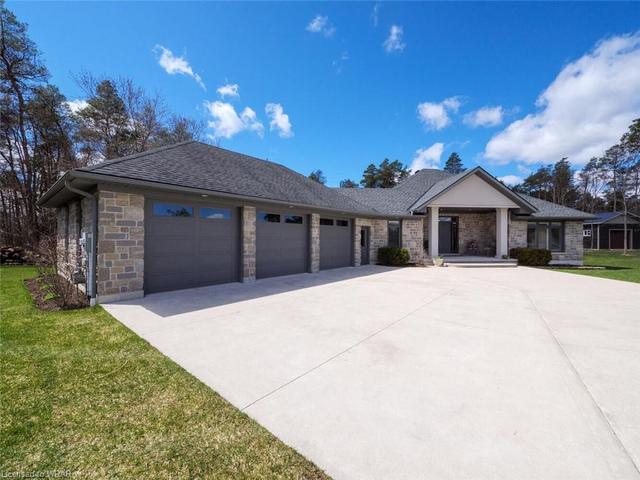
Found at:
<point>198,165</point>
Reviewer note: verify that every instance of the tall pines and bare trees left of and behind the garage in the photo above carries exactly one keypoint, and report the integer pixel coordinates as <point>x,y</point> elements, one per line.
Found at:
<point>42,134</point>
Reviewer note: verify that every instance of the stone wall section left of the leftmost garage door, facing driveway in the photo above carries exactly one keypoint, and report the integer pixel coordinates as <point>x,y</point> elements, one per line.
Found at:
<point>120,246</point>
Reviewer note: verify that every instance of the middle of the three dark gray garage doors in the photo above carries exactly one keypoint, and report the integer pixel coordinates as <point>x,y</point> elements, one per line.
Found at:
<point>281,243</point>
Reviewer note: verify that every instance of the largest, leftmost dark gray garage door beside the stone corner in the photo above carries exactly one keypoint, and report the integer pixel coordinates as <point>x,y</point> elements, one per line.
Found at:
<point>189,245</point>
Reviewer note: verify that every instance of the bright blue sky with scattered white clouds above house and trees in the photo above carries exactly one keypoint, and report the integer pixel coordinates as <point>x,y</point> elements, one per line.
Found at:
<point>337,86</point>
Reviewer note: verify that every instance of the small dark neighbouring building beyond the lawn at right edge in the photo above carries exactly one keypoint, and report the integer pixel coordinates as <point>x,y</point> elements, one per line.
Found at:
<point>606,231</point>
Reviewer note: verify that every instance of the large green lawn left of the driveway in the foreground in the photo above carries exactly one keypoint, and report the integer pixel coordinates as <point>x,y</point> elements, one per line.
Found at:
<point>82,394</point>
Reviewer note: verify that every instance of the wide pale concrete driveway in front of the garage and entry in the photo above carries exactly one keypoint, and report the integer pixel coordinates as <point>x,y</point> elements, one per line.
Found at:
<point>439,373</point>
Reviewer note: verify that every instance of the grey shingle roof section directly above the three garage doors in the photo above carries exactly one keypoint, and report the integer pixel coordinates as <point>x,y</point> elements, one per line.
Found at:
<point>198,165</point>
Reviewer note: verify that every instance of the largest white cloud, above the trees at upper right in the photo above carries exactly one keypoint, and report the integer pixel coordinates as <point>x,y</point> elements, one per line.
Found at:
<point>585,110</point>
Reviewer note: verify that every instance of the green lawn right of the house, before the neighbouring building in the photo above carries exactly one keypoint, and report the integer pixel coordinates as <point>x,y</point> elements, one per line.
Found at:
<point>617,266</point>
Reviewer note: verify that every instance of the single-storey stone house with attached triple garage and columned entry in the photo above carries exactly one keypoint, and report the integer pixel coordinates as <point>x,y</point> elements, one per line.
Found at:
<point>192,214</point>
